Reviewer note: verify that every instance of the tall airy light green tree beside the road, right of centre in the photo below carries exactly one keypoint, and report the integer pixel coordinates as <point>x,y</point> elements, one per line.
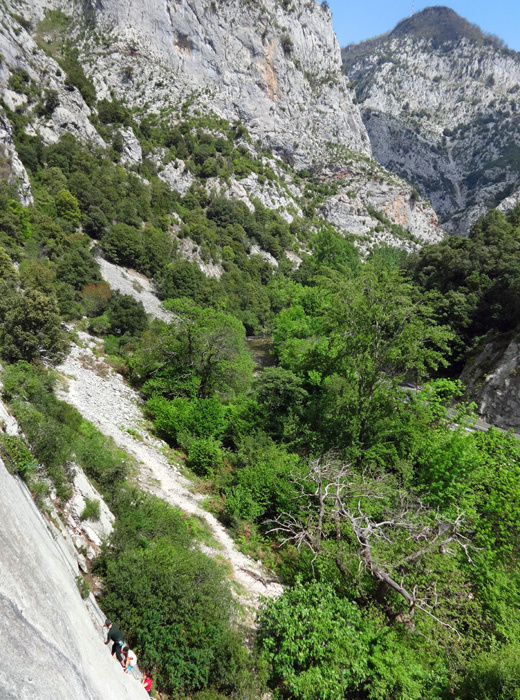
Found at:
<point>364,336</point>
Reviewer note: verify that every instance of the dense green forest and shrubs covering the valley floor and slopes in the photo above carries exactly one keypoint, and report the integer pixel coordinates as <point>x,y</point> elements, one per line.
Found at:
<point>392,525</point>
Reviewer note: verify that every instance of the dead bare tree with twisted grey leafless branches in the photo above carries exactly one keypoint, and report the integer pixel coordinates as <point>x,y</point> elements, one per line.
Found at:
<point>335,505</point>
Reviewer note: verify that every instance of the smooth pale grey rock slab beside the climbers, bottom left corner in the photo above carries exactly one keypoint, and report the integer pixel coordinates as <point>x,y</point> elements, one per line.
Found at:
<point>51,649</point>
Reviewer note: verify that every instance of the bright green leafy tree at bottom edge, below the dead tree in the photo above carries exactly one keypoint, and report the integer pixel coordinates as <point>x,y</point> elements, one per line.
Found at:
<point>321,646</point>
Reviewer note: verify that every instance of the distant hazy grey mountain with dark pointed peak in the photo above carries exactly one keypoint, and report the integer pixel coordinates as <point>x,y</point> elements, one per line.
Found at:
<point>441,103</point>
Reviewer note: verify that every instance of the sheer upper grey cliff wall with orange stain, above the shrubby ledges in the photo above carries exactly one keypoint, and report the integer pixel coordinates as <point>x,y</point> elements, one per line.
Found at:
<point>276,69</point>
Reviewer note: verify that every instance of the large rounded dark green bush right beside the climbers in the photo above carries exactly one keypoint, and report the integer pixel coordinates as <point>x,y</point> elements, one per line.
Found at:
<point>177,608</point>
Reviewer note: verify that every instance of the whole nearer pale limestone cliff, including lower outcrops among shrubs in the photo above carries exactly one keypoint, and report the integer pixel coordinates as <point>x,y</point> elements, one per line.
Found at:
<point>273,66</point>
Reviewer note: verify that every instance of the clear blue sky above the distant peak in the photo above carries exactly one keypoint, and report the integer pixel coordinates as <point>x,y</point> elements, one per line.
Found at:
<point>356,20</point>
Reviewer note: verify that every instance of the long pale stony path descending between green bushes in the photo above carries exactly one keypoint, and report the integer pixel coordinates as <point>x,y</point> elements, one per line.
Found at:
<point>102,397</point>
